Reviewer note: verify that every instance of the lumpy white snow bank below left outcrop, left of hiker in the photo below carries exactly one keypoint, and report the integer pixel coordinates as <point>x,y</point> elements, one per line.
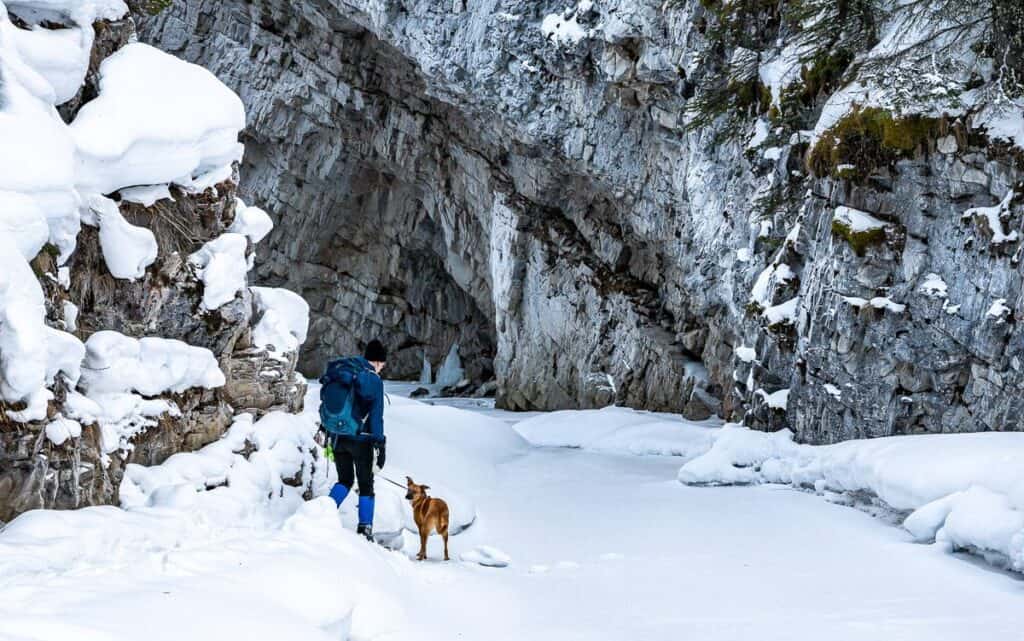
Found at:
<point>214,530</point>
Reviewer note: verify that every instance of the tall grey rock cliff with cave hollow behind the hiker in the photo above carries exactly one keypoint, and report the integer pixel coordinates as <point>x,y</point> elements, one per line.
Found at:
<point>636,202</point>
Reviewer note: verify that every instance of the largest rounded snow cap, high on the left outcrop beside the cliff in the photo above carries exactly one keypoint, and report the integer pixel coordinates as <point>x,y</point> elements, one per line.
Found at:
<point>157,119</point>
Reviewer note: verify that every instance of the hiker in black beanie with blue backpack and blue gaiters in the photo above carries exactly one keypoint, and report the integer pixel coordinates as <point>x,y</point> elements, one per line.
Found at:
<point>353,418</point>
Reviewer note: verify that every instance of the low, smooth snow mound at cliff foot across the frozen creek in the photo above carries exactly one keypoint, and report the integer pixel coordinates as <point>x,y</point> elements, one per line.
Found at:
<point>619,431</point>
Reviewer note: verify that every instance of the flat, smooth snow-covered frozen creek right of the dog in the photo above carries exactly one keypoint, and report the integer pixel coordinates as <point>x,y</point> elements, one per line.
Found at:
<point>613,548</point>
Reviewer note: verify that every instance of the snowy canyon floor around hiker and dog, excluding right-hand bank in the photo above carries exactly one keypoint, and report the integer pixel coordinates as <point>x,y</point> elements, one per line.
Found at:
<point>603,543</point>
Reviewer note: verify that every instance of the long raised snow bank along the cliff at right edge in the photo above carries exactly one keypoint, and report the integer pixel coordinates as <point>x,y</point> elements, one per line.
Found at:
<point>964,491</point>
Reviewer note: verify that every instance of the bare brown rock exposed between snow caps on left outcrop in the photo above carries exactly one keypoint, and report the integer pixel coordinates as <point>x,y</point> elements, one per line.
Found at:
<point>39,471</point>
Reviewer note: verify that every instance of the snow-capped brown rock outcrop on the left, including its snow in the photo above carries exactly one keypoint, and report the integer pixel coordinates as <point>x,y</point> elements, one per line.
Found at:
<point>119,163</point>
